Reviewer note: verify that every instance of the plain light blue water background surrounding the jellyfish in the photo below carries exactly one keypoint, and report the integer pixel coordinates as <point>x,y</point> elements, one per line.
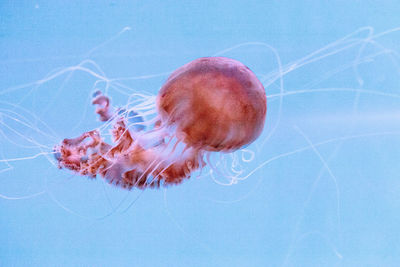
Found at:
<point>335,204</point>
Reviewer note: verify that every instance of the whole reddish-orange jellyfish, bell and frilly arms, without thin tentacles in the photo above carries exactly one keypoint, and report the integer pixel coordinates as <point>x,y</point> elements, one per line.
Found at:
<point>209,105</point>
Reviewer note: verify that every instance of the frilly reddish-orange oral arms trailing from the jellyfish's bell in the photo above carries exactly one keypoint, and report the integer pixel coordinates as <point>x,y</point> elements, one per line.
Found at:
<point>126,164</point>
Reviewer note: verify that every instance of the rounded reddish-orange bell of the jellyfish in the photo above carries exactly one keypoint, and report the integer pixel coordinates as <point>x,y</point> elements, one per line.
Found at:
<point>217,104</point>
